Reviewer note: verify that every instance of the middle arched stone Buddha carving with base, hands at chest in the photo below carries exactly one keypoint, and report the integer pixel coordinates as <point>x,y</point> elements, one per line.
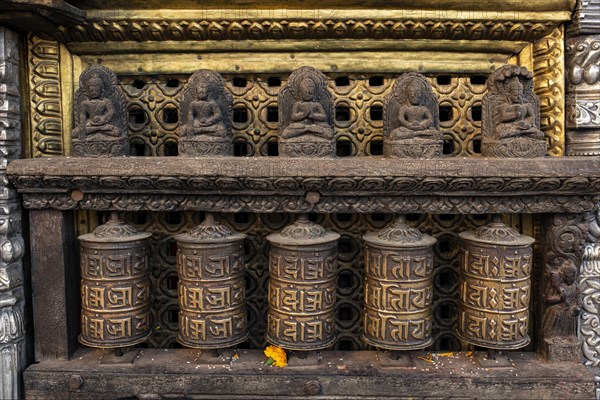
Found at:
<point>306,115</point>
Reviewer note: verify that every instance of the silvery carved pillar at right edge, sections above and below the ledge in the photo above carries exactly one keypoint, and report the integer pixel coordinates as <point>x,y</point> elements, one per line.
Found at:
<point>583,138</point>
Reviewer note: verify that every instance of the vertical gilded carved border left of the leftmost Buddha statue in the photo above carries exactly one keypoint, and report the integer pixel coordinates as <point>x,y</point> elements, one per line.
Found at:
<point>45,103</point>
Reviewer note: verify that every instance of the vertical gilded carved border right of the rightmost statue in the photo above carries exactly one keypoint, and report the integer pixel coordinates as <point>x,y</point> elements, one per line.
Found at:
<point>548,79</point>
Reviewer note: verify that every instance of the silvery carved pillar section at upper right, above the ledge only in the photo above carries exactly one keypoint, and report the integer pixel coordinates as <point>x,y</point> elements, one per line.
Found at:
<point>583,80</point>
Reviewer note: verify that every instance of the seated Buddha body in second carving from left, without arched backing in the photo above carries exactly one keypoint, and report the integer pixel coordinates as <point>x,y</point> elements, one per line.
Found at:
<point>204,115</point>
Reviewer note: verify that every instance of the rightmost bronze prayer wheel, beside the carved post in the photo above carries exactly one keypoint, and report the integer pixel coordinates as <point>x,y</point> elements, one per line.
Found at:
<point>495,286</point>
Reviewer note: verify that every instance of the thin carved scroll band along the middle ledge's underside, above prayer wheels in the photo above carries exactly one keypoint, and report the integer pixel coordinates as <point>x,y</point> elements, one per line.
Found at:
<point>298,204</point>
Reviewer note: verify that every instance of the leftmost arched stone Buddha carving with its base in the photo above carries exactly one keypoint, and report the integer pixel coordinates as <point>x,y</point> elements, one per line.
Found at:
<point>101,125</point>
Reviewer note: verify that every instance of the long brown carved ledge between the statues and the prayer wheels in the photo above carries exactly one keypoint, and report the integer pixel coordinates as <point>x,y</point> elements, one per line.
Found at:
<point>264,184</point>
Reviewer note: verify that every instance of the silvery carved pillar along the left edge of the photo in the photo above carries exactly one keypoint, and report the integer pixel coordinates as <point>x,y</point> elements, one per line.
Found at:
<point>12,325</point>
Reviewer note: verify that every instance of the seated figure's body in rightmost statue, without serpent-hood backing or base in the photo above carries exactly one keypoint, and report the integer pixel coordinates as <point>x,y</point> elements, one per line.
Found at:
<point>516,118</point>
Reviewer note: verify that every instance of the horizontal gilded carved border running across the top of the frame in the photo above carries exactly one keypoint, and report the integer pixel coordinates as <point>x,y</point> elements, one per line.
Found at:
<point>99,29</point>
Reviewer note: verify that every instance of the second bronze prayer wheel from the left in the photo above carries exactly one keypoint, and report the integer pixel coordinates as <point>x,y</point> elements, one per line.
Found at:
<point>211,288</point>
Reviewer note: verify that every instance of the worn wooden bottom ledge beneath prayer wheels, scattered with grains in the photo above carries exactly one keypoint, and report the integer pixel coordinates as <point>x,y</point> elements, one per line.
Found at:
<point>178,373</point>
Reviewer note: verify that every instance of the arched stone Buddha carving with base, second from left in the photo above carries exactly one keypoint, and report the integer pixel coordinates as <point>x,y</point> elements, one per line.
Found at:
<point>205,116</point>
